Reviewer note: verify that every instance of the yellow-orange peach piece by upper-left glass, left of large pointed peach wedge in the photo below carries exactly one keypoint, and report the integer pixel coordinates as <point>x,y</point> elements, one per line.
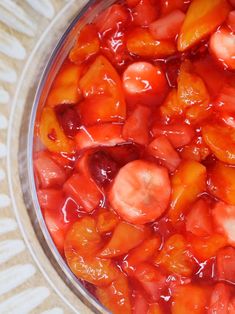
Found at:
<point>65,88</point>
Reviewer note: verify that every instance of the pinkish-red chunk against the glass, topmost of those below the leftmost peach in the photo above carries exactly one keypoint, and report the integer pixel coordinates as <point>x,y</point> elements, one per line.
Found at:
<point>48,172</point>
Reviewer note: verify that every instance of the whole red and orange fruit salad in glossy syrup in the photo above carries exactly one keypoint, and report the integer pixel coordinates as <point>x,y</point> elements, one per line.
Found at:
<point>134,158</point>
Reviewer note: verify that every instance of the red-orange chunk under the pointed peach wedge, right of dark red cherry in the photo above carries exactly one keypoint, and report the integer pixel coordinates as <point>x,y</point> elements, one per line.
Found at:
<point>100,109</point>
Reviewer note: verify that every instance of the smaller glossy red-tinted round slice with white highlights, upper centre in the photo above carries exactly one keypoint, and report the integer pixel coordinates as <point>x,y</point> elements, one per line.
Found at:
<point>144,84</point>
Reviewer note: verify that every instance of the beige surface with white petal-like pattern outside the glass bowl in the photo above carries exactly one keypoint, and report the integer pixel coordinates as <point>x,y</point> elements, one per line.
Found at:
<point>24,284</point>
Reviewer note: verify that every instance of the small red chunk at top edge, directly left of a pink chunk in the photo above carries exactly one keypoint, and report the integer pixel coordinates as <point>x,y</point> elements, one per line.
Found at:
<point>145,12</point>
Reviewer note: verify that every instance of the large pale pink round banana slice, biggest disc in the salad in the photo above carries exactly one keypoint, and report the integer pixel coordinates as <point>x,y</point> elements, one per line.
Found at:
<point>153,186</point>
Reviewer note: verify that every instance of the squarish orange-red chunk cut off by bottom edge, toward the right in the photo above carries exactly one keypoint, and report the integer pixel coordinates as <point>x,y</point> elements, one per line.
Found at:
<point>190,299</point>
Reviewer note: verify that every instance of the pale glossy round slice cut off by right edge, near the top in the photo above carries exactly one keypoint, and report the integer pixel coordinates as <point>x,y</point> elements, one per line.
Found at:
<point>222,46</point>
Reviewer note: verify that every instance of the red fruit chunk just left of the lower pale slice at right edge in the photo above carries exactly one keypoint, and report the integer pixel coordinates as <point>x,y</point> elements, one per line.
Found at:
<point>198,220</point>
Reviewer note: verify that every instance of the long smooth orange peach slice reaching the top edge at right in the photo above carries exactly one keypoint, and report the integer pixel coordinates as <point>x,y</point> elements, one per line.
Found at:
<point>202,18</point>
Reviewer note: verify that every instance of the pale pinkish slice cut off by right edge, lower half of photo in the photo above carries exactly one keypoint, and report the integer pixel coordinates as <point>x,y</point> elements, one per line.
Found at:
<point>224,218</point>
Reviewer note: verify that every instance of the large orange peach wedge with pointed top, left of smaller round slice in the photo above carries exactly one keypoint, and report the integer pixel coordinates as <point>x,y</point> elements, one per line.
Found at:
<point>101,78</point>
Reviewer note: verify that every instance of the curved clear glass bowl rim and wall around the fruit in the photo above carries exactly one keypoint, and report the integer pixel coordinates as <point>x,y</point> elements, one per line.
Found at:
<point>36,80</point>
